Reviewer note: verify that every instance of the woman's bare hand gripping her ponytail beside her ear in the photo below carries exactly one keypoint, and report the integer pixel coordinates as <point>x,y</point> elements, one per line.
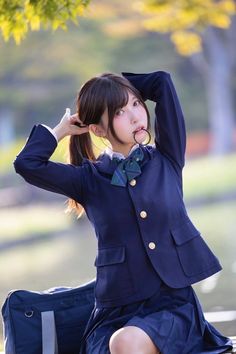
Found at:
<point>67,126</point>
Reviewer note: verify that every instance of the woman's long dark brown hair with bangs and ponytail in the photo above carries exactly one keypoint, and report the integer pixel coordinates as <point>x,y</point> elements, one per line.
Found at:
<point>107,90</point>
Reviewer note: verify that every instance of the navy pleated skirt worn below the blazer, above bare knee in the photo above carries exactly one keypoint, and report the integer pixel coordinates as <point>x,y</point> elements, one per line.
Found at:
<point>172,318</point>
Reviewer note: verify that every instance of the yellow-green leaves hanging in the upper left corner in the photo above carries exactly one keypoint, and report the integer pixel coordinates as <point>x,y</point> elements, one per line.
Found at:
<point>18,16</point>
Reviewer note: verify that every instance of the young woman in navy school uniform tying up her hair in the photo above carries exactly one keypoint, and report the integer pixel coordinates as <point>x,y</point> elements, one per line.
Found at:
<point>149,251</point>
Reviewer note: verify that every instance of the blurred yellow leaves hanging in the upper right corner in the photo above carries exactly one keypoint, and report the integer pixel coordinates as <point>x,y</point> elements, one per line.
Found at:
<point>186,20</point>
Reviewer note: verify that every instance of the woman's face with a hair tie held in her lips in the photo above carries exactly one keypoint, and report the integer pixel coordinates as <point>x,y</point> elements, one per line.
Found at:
<point>127,120</point>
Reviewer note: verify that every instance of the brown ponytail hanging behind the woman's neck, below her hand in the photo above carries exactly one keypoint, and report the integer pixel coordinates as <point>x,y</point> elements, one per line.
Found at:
<point>80,146</point>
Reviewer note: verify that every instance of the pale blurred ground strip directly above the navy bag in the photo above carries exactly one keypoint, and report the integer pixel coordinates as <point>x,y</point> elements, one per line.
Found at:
<point>64,261</point>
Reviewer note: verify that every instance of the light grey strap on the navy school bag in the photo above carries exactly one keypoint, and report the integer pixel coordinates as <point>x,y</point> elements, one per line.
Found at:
<point>49,335</point>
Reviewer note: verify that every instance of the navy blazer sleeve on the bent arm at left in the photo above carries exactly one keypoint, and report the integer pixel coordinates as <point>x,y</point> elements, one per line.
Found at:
<point>33,164</point>
